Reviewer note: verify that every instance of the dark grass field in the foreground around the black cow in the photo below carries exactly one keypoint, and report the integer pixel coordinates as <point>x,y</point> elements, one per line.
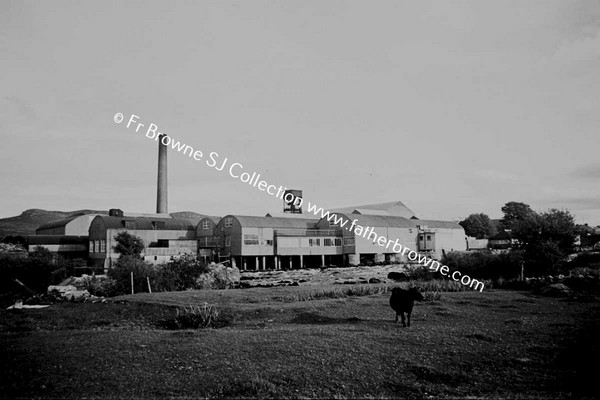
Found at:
<point>496,344</point>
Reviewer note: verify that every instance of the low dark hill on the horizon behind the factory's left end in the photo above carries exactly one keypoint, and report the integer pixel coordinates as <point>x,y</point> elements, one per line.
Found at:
<point>29,220</point>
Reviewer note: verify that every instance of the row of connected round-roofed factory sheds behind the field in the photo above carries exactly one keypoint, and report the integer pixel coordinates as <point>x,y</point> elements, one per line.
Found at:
<point>275,241</point>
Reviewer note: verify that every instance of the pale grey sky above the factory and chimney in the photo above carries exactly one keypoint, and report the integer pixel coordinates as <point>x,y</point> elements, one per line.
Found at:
<point>452,107</point>
